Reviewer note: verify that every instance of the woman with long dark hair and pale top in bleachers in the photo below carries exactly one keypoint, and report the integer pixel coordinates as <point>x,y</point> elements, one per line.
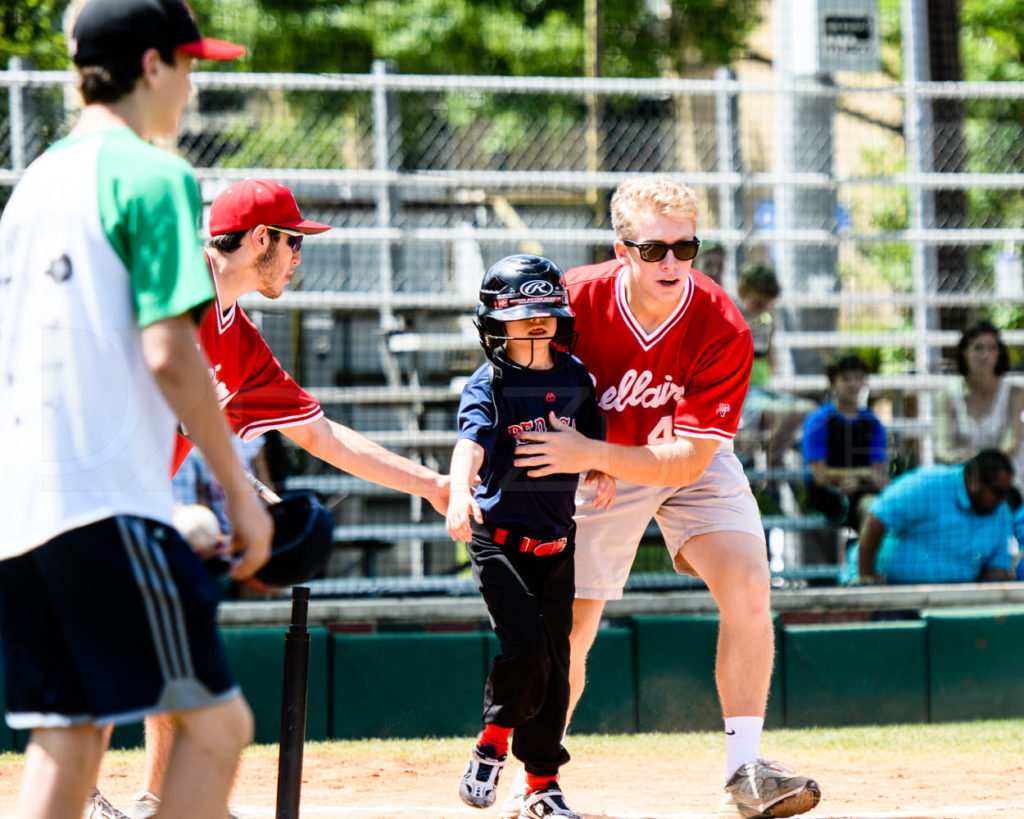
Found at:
<point>983,410</point>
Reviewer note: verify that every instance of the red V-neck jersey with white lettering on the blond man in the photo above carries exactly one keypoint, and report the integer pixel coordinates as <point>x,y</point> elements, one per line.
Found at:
<point>689,377</point>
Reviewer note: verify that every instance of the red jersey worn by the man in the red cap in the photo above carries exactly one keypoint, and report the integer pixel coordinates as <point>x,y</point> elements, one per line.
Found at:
<point>252,387</point>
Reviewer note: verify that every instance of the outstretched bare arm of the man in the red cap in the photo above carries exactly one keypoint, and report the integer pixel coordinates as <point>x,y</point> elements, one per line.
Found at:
<point>349,451</point>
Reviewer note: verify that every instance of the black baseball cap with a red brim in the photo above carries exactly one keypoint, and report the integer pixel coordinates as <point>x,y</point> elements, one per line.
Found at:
<point>110,31</point>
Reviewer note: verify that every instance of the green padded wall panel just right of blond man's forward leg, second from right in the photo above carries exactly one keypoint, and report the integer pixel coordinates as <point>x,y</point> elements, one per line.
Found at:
<point>856,674</point>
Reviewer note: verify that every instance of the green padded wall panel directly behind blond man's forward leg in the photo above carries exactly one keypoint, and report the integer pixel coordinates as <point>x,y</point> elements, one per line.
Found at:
<point>675,668</point>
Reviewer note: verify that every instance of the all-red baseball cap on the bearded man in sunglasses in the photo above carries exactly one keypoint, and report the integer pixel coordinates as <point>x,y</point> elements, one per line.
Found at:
<point>254,202</point>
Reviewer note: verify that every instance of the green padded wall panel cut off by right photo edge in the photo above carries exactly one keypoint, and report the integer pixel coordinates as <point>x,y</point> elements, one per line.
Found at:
<point>976,657</point>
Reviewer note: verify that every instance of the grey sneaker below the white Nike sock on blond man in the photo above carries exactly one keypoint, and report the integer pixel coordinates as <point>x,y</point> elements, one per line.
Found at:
<point>763,790</point>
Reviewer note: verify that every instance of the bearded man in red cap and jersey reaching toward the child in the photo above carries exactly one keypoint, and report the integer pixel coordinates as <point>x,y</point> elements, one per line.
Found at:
<point>257,239</point>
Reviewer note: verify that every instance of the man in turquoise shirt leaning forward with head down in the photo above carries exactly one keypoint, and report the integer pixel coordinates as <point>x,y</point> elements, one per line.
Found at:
<point>944,525</point>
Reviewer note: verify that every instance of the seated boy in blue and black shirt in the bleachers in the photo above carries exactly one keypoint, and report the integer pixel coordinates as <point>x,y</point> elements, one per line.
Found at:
<point>844,448</point>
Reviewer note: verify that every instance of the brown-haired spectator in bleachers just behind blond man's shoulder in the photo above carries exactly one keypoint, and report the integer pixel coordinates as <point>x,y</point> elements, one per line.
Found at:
<point>770,419</point>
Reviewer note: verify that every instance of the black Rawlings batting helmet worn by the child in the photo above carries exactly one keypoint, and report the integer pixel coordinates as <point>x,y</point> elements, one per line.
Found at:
<point>524,287</point>
